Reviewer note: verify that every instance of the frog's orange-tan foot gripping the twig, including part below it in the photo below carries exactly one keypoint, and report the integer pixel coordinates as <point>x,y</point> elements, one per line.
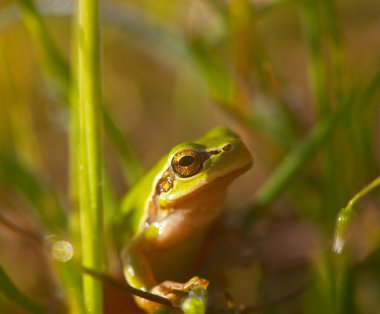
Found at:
<point>175,292</point>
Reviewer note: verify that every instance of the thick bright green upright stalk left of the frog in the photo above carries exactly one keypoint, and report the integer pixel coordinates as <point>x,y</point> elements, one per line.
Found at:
<point>90,149</point>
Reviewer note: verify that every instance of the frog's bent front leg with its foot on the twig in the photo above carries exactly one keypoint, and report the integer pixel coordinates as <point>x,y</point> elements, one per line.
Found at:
<point>138,273</point>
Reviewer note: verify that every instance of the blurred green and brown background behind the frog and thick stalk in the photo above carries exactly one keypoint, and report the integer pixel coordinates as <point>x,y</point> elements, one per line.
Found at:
<point>296,79</point>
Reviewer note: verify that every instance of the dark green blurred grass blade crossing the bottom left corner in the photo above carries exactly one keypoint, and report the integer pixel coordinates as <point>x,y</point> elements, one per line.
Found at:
<point>10,290</point>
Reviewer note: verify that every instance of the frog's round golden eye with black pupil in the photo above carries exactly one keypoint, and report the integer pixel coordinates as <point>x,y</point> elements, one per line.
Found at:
<point>187,163</point>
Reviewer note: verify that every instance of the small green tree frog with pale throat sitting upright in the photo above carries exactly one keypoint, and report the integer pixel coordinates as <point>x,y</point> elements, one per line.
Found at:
<point>165,216</point>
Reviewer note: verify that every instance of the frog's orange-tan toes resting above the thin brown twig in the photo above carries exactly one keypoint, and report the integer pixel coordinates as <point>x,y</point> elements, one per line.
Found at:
<point>176,291</point>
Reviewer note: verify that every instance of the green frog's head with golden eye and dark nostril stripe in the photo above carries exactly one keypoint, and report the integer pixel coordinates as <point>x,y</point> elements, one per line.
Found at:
<point>193,166</point>
